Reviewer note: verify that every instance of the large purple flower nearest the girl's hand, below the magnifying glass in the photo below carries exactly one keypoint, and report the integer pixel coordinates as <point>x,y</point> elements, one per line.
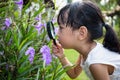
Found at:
<point>45,50</point>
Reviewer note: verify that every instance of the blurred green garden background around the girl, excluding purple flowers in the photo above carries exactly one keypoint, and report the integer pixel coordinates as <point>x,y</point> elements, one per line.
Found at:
<point>14,59</point>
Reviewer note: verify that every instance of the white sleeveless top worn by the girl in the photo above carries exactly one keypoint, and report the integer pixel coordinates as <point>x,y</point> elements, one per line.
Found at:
<point>103,56</point>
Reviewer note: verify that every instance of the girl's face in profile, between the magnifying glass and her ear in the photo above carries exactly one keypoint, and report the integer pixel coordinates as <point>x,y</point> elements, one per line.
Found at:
<point>66,36</point>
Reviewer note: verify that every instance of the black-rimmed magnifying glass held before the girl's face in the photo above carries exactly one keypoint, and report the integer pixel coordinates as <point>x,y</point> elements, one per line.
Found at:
<point>51,31</point>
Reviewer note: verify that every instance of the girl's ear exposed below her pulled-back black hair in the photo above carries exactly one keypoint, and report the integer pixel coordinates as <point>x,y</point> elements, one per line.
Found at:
<point>83,33</point>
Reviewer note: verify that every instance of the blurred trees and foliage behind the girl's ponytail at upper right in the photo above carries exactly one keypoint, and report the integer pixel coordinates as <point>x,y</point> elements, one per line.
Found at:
<point>111,12</point>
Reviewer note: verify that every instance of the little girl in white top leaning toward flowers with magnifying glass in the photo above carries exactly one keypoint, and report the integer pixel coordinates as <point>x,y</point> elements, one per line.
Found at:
<point>79,25</point>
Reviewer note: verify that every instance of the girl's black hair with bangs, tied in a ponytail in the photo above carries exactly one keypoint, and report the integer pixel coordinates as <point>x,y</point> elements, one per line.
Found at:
<point>89,15</point>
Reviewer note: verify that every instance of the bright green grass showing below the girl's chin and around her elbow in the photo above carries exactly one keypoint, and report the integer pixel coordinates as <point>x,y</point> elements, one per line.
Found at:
<point>72,55</point>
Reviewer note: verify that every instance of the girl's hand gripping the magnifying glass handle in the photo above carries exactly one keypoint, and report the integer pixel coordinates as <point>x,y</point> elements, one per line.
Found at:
<point>58,50</point>
